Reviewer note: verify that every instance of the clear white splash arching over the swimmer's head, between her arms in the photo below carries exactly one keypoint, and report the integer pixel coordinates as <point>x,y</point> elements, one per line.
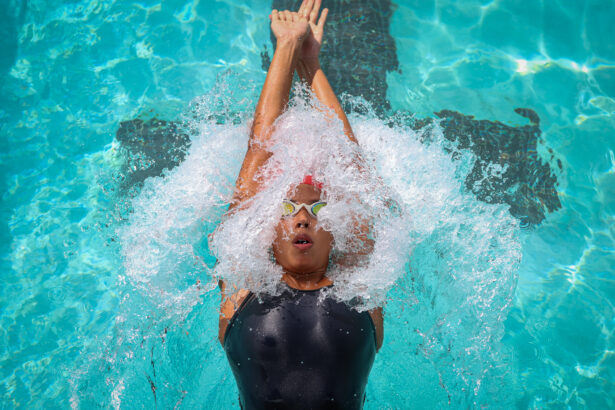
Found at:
<point>353,191</point>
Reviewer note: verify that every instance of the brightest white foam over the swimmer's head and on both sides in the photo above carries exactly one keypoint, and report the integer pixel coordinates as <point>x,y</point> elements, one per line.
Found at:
<point>408,190</point>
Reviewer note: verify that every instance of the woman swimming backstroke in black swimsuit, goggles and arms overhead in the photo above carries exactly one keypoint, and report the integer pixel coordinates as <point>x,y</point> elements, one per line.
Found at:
<point>294,351</point>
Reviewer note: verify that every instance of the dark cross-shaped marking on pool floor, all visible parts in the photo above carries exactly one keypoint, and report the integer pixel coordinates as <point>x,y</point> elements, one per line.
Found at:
<point>357,58</point>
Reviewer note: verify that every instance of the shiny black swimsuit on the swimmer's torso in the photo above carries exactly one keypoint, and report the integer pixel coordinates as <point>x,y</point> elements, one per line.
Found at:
<point>293,351</point>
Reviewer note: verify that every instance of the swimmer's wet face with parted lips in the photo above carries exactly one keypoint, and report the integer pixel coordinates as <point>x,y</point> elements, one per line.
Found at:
<point>292,232</point>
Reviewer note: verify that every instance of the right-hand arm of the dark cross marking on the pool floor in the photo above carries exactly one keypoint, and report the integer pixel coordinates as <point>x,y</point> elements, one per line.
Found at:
<point>507,167</point>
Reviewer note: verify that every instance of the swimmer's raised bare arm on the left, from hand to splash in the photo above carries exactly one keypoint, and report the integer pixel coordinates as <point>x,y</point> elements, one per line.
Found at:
<point>290,29</point>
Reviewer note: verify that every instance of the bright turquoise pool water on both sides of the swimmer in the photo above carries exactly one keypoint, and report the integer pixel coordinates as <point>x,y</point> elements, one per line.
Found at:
<point>79,328</point>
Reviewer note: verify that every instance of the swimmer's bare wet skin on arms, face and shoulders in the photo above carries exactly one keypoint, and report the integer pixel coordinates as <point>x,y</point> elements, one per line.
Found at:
<point>299,37</point>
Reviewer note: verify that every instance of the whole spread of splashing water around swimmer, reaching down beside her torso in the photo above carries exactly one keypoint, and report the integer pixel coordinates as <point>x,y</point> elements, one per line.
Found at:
<point>438,250</point>
